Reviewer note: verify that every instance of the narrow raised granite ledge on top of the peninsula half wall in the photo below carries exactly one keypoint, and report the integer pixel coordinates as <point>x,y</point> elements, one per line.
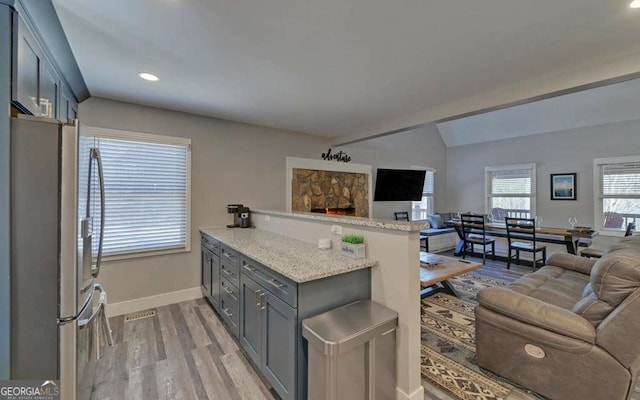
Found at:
<point>359,221</point>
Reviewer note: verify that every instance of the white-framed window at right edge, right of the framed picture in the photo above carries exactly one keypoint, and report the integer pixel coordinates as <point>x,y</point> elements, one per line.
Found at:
<point>618,189</point>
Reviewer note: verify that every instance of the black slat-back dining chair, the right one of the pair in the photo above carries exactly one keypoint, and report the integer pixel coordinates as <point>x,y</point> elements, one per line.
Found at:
<point>521,236</point>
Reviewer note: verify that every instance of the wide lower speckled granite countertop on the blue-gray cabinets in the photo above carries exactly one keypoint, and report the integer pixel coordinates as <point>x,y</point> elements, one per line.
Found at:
<point>297,260</point>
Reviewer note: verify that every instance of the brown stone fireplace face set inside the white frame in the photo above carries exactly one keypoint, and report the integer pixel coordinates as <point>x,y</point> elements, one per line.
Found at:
<point>329,189</point>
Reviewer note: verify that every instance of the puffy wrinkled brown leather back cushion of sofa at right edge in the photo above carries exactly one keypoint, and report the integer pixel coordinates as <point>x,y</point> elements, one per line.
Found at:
<point>616,275</point>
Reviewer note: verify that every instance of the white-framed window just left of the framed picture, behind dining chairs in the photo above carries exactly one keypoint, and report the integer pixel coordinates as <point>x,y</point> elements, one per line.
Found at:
<point>511,190</point>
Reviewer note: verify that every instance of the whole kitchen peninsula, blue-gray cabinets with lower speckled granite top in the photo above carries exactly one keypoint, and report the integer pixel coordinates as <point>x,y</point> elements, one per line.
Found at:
<point>264,284</point>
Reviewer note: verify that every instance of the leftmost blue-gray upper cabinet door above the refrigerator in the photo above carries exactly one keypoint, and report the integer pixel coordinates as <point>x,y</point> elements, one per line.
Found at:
<point>26,68</point>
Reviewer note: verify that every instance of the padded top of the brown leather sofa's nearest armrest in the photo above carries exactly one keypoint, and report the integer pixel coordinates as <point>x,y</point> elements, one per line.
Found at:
<point>536,312</point>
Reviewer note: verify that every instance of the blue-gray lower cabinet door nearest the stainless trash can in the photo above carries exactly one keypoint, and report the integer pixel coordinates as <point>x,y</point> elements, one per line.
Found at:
<point>279,343</point>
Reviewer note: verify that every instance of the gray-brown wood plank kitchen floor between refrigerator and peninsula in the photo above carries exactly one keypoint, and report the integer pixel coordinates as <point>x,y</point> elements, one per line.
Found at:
<point>183,352</point>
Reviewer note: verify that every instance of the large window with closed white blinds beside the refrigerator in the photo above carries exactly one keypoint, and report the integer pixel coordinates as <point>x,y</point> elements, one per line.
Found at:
<point>147,192</point>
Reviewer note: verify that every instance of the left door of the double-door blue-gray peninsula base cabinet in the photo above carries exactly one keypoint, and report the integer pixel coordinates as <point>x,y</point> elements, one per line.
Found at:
<point>251,318</point>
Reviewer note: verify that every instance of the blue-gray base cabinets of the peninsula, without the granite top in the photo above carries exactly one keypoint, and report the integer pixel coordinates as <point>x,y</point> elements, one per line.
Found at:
<point>265,309</point>
